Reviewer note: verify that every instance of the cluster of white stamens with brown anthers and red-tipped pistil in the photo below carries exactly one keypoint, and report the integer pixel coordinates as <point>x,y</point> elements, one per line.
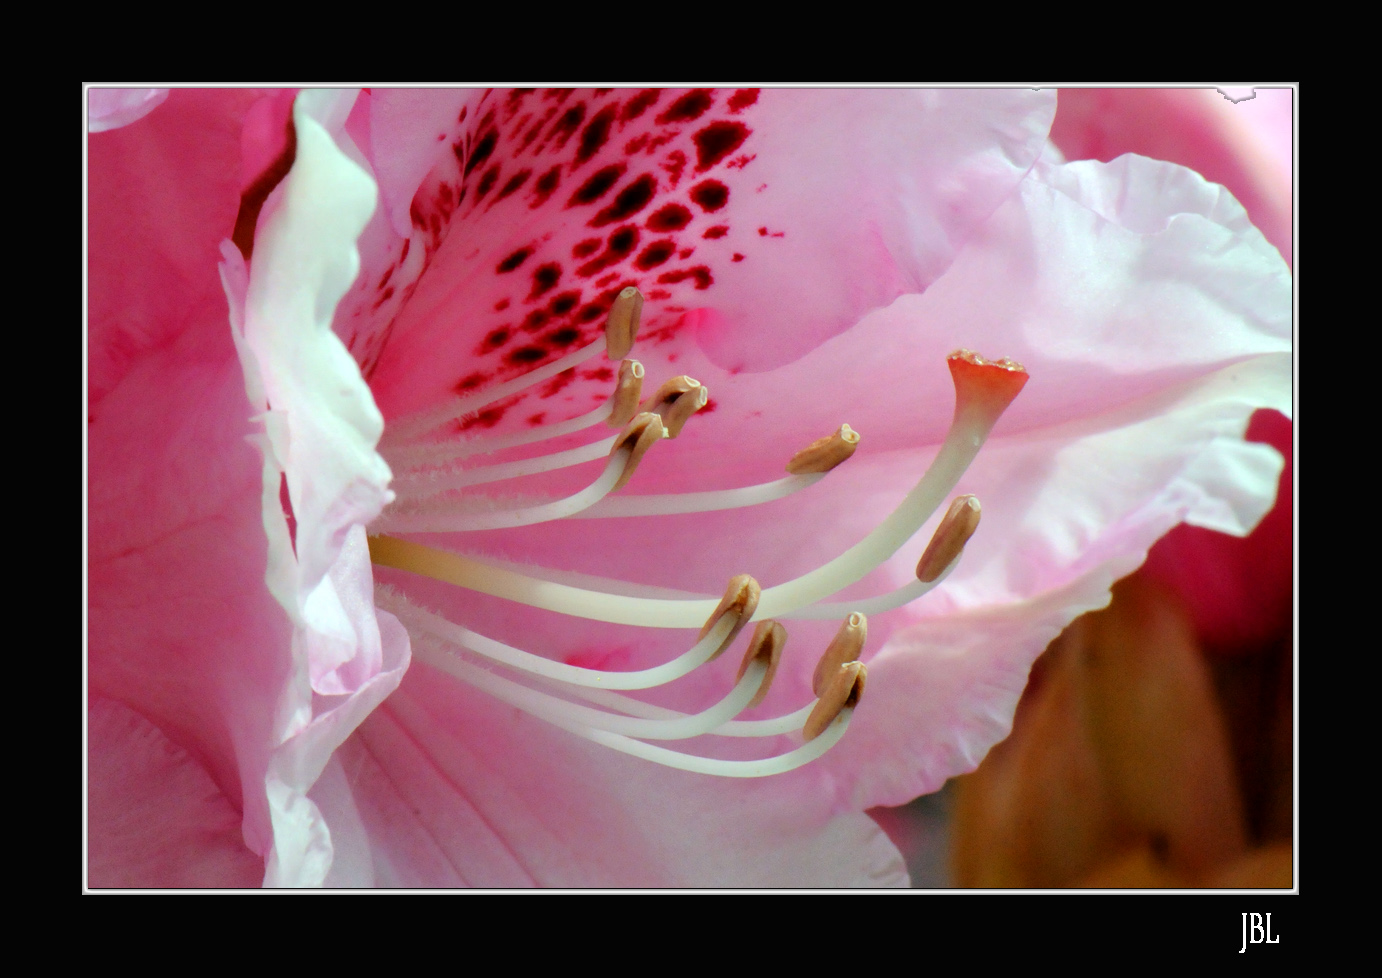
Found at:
<point>440,491</point>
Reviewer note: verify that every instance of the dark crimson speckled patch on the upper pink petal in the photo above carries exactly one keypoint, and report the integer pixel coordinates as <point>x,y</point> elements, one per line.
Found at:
<point>645,173</point>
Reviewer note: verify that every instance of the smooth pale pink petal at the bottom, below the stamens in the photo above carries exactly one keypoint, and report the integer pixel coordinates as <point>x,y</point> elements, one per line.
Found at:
<point>457,791</point>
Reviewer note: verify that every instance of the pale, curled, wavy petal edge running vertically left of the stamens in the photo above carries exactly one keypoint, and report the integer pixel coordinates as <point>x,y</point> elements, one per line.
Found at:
<point>320,440</point>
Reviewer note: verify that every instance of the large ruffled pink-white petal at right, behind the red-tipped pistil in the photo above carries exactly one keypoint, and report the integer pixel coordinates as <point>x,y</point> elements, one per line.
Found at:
<point>1148,353</point>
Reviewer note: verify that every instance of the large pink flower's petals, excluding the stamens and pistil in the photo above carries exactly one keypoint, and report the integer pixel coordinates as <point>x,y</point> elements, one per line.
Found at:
<point>811,259</point>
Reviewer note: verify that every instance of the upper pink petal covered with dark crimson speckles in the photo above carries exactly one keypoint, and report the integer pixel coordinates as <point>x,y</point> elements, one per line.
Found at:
<point>556,201</point>
